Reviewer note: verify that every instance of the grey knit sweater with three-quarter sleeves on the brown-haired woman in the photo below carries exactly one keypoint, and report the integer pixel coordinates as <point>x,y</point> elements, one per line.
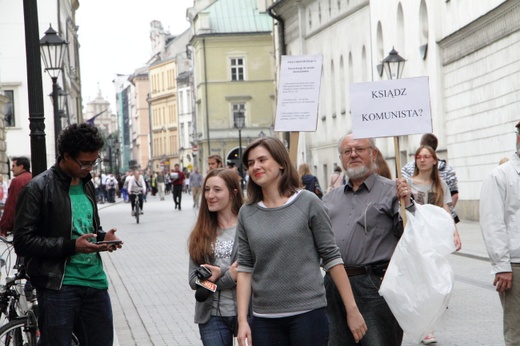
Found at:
<point>282,248</point>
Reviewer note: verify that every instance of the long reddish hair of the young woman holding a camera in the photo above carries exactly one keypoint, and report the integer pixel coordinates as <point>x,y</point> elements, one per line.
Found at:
<point>204,234</point>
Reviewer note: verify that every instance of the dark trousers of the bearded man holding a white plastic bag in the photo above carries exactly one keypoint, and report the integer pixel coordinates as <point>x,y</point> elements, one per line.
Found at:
<point>383,329</point>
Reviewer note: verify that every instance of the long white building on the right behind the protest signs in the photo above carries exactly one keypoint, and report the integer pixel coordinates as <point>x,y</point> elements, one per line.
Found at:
<point>464,47</point>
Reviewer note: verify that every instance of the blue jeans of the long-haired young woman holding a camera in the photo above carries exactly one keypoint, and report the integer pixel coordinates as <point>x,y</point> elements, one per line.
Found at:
<point>218,331</point>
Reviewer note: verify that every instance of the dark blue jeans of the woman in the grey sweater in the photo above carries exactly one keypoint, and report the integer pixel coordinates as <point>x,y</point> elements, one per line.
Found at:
<point>308,329</point>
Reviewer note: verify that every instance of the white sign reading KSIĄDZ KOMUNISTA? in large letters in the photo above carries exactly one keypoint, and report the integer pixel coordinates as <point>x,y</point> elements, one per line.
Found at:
<point>391,108</point>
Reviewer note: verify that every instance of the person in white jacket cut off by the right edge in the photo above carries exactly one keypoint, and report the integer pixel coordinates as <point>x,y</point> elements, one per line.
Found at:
<point>500,224</point>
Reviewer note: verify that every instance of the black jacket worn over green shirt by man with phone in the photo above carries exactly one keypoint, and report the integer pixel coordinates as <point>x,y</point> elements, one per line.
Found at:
<point>43,226</point>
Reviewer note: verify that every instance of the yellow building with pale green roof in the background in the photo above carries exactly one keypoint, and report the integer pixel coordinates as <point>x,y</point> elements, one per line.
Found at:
<point>233,62</point>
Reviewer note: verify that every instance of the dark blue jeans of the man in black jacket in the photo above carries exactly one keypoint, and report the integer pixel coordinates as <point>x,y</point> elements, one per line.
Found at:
<point>83,310</point>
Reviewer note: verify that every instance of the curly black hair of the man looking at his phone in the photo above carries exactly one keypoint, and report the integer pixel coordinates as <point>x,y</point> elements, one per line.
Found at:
<point>78,138</point>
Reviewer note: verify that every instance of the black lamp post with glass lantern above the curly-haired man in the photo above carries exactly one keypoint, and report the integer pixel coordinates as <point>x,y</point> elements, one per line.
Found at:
<point>52,49</point>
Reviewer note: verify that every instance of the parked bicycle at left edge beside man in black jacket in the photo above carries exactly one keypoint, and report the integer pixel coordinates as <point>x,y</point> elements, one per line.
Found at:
<point>19,322</point>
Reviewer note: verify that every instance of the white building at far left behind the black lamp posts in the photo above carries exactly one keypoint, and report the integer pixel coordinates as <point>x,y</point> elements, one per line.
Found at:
<point>13,73</point>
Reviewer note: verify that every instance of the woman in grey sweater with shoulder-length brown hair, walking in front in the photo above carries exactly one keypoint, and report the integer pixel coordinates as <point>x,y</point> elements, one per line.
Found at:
<point>284,233</point>
